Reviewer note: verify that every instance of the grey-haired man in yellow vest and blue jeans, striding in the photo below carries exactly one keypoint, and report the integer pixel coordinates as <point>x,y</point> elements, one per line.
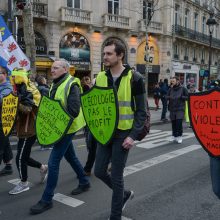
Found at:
<point>66,89</point>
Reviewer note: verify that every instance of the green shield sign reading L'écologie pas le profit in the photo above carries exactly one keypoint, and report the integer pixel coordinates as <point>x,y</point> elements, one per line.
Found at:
<point>101,112</point>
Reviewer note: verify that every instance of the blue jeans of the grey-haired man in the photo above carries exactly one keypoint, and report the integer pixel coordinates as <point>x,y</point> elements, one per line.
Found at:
<point>63,148</point>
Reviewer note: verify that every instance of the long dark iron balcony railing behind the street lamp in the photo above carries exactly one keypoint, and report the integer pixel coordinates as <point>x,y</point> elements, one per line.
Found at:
<point>192,35</point>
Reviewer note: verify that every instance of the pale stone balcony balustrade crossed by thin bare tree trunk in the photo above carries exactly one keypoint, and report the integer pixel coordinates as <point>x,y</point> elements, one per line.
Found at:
<point>154,27</point>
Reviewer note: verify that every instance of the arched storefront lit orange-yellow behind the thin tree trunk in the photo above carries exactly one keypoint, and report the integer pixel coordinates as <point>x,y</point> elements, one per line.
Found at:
<point>153,64</point>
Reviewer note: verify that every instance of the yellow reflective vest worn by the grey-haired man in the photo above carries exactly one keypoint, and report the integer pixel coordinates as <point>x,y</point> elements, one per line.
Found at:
<point>62,94</point>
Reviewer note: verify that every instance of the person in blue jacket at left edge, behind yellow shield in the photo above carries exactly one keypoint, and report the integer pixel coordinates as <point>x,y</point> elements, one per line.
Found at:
<point>6,154</point>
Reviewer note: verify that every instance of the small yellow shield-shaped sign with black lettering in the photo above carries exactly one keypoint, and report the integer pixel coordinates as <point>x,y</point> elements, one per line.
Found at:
<point>9,112</point>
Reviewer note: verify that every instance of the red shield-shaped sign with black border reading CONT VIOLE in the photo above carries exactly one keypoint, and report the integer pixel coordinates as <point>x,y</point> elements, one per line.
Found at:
<point>204,112</point>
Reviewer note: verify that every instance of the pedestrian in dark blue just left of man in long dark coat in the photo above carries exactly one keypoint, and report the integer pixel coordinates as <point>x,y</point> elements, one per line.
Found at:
<point>163,91</point>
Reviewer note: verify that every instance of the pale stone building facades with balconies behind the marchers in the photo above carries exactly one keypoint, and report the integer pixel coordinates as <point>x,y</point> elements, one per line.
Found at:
<point>178,42</point>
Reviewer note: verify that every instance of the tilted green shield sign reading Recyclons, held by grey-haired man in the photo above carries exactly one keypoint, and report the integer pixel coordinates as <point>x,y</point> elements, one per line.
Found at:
<point>52,122</point>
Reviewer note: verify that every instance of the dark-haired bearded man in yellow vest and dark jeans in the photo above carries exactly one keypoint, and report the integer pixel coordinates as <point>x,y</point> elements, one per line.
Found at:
<point>132,115</point>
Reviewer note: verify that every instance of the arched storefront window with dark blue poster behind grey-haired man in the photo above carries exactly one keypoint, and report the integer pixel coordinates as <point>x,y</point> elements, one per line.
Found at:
<point>75,48</point>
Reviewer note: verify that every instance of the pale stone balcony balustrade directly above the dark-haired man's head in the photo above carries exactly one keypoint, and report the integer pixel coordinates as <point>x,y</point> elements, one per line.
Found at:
<point>116,21</point>
